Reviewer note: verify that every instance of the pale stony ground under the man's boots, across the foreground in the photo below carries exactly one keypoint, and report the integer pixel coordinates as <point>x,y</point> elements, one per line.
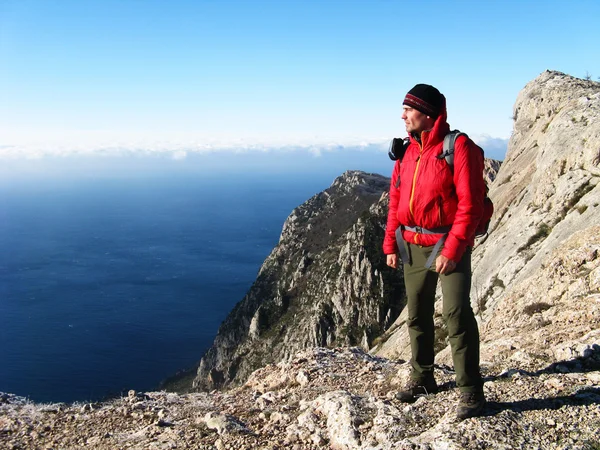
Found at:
<point>327,398</point>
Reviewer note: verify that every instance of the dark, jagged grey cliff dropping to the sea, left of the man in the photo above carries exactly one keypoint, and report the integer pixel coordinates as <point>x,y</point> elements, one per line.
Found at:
<point>325,284</point>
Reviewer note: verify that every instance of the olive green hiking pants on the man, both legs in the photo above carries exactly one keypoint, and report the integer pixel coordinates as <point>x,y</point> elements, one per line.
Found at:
<point>457,312</point>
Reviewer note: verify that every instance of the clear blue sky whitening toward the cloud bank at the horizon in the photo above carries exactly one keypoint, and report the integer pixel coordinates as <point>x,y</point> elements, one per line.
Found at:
<point>176,76</point>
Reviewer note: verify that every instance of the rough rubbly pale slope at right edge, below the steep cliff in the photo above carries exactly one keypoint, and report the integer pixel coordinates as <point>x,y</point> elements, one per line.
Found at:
<point>559,319</point>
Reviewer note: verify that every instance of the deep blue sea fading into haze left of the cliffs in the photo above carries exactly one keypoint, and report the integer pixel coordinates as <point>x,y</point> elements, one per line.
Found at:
<point>115,273</point>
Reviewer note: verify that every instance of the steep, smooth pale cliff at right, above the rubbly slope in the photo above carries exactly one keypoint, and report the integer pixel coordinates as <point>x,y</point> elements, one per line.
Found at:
<point>547,188</point>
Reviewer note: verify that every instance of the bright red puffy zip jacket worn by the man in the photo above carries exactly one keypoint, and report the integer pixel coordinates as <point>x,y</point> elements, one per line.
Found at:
<point>431,194</point>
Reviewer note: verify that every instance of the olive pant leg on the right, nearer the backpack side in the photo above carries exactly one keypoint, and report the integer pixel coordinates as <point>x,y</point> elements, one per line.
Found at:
<point>463,332</point>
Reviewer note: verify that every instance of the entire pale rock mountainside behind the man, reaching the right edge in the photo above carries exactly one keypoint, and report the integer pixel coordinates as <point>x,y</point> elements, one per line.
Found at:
<point>546,190</point>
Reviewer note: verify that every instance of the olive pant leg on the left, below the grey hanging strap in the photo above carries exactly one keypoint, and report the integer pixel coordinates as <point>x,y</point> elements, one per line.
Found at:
<point>420,286</point>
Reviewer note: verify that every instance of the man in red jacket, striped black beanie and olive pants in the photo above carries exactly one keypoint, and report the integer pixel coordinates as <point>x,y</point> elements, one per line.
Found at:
<point>432,200</point>
